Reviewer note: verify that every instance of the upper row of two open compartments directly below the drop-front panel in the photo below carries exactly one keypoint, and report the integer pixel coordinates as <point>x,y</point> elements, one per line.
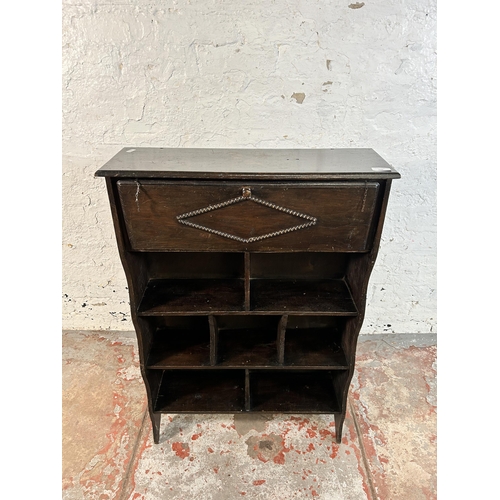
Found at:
<point>259,284</point>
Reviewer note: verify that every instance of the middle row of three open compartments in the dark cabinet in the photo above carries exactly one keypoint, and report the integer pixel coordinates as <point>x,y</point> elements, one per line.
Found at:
<point>253,342</point>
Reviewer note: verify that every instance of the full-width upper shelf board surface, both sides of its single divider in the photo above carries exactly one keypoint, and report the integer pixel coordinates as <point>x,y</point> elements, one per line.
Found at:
<point>164,297</point>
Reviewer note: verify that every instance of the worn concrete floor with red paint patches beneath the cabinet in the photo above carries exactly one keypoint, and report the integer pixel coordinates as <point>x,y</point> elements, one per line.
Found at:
<point>388,449</point>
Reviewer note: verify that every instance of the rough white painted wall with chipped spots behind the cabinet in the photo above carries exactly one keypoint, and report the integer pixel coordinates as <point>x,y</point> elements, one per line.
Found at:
<point>230,73</point>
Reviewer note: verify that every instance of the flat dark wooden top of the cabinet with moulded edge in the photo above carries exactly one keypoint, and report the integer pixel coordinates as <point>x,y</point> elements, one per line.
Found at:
<point>204,163</point>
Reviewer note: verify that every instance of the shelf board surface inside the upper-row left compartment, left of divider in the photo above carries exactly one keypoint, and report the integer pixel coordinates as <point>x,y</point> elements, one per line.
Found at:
<point>192,296</point>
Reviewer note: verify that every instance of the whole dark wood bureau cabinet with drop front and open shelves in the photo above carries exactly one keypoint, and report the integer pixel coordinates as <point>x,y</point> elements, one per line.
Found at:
<point>247,272</point>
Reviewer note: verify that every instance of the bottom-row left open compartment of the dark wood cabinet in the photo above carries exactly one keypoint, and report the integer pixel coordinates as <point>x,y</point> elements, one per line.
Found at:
<point>194,391</point>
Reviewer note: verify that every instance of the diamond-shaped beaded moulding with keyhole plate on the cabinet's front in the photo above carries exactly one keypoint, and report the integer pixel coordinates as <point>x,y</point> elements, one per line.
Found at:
<point>245,197</point>
